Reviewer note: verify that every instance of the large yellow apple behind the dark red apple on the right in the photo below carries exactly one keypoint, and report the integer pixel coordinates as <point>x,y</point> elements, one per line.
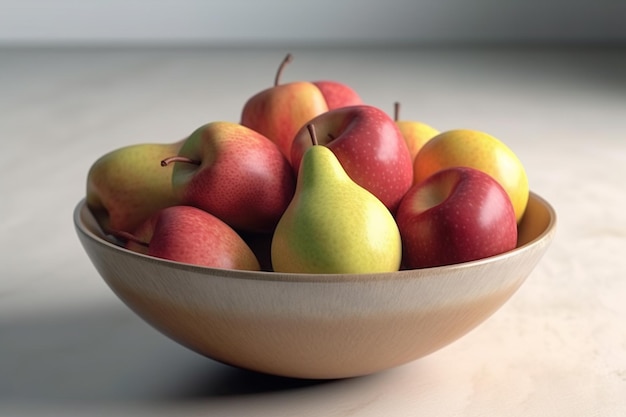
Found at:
<point>479,150</point>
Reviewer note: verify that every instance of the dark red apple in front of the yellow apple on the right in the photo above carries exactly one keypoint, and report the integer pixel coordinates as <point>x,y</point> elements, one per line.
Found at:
<point>456,215</point>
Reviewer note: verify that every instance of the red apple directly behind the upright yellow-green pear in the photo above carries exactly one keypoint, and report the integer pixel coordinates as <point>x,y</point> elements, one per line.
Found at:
<point>369,146</point>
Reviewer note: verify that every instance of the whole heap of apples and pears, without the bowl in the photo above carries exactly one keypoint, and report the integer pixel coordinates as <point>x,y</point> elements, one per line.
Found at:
<point>313,180</point>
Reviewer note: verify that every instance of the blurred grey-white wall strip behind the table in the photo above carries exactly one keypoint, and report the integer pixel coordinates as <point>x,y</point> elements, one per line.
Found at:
<point>311,21</point>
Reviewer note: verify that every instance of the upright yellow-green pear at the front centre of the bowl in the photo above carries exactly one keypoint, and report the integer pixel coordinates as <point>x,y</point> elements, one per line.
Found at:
<point>333,225</point>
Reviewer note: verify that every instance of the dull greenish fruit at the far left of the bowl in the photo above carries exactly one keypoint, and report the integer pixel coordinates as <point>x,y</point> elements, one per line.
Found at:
<point>128,185</point>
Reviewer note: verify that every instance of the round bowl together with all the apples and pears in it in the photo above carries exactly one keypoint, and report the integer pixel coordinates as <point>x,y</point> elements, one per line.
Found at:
<point>324,252</point>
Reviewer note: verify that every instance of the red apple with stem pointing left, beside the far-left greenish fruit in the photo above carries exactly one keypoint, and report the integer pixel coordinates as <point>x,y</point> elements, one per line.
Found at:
<point>242,178</point>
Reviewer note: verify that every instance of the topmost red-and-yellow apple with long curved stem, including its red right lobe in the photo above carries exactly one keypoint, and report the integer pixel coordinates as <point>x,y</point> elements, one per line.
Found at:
<point>280,111</point>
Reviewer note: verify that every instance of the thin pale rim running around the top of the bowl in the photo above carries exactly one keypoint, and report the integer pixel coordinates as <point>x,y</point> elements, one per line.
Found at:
<point>546,234</point>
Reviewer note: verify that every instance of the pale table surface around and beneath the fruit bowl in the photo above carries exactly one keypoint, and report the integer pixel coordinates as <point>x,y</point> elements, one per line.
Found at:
<point>69,347</point>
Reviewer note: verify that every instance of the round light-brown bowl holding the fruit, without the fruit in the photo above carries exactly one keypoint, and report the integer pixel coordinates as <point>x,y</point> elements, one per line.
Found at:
<point>316,326</point>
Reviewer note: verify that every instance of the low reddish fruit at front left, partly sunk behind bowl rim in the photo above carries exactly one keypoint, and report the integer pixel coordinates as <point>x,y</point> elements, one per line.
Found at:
<point>191,235</point>
